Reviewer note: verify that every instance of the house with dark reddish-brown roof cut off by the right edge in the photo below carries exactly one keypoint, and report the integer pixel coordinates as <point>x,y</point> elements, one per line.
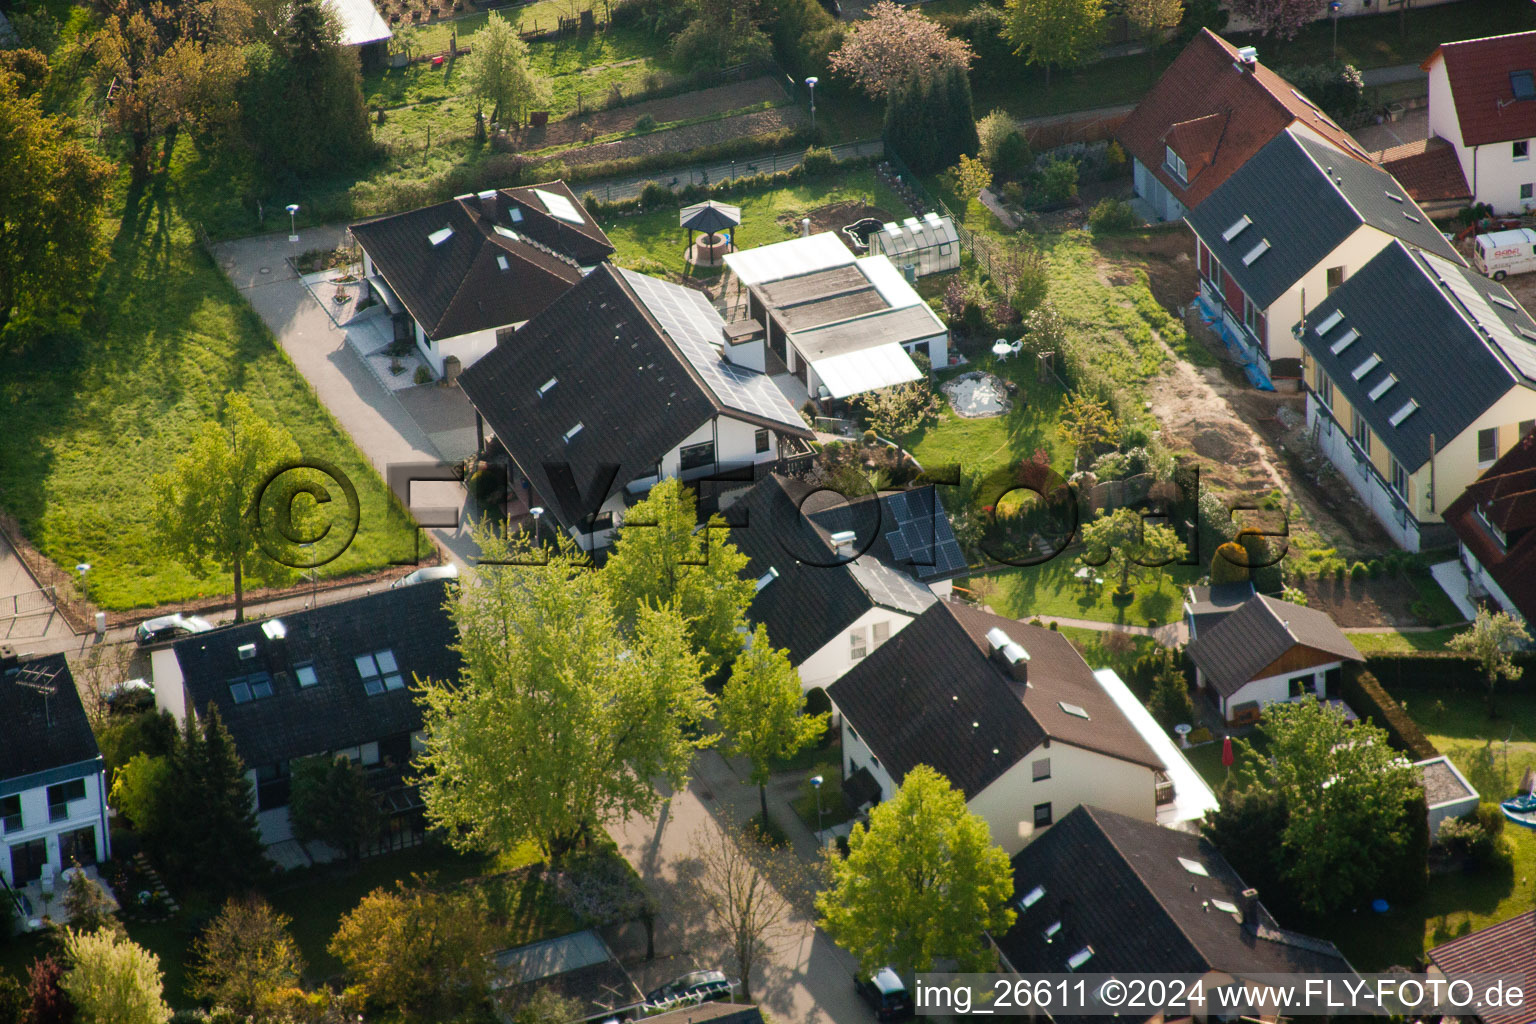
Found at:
<point>1492,521</point>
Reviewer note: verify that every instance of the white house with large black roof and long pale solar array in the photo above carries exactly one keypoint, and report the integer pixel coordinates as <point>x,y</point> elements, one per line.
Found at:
<point>623,382</point>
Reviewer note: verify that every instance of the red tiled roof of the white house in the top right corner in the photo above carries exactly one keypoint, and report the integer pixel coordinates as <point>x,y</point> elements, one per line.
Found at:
<point>1480,85</point>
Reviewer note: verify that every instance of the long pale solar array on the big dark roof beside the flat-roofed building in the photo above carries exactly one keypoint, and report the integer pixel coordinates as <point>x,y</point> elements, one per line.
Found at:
<point>695,328</point>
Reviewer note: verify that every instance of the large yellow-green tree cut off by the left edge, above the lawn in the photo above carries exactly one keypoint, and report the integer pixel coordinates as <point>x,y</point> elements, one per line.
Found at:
<point>53,194</point>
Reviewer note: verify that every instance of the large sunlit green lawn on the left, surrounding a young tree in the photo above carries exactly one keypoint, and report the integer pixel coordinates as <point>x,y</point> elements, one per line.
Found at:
<point>94,414</point>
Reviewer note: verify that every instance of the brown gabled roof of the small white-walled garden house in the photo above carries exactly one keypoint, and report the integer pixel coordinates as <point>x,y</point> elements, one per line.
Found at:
<point>1259,633</point>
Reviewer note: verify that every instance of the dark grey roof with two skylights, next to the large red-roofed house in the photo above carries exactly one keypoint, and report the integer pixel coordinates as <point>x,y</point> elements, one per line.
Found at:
<point>1293,174</point>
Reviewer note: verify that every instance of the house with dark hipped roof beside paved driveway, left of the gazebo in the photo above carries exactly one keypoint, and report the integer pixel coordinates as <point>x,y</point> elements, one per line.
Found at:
<point>462,274</point>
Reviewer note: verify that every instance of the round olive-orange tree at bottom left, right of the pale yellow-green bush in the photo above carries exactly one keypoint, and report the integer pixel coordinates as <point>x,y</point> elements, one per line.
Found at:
<point>247,959</point>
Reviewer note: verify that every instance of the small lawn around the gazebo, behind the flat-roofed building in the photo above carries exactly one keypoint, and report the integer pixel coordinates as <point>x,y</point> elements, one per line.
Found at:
<point>655,245</point>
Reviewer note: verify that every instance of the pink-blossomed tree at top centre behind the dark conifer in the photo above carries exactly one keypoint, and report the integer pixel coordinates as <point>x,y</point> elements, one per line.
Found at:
<point>895,42</point>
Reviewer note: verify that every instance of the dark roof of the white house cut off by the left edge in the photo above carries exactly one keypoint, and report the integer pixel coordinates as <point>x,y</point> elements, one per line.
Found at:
<point>38,735</point>
